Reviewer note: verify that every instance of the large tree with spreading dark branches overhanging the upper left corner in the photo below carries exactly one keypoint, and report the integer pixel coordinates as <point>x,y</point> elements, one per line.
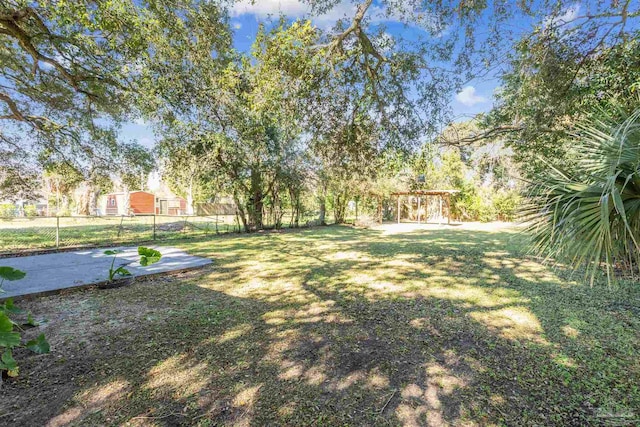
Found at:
<point>70,73</point>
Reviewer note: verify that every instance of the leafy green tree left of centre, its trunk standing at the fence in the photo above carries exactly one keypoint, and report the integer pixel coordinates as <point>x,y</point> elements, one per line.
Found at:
<point>240,114</point>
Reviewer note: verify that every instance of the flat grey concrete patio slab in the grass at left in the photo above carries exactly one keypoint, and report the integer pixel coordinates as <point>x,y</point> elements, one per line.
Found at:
<point>50,272</point>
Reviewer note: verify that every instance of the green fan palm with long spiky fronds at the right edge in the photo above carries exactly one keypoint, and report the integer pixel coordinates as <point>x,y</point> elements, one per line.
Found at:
<point>591,218</point>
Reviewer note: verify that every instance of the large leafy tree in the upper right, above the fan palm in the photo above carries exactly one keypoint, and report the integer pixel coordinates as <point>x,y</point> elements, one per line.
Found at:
<point>576,60</point>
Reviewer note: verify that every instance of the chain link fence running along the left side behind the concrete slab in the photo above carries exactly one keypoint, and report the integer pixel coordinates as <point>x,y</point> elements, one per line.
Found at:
<point>40,233</point>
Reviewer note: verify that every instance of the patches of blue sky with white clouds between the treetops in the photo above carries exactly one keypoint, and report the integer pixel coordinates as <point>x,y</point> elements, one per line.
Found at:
<point>246,16</point>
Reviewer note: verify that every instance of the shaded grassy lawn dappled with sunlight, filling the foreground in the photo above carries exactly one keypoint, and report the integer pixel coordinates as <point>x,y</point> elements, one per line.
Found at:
<point>339,326</point>
